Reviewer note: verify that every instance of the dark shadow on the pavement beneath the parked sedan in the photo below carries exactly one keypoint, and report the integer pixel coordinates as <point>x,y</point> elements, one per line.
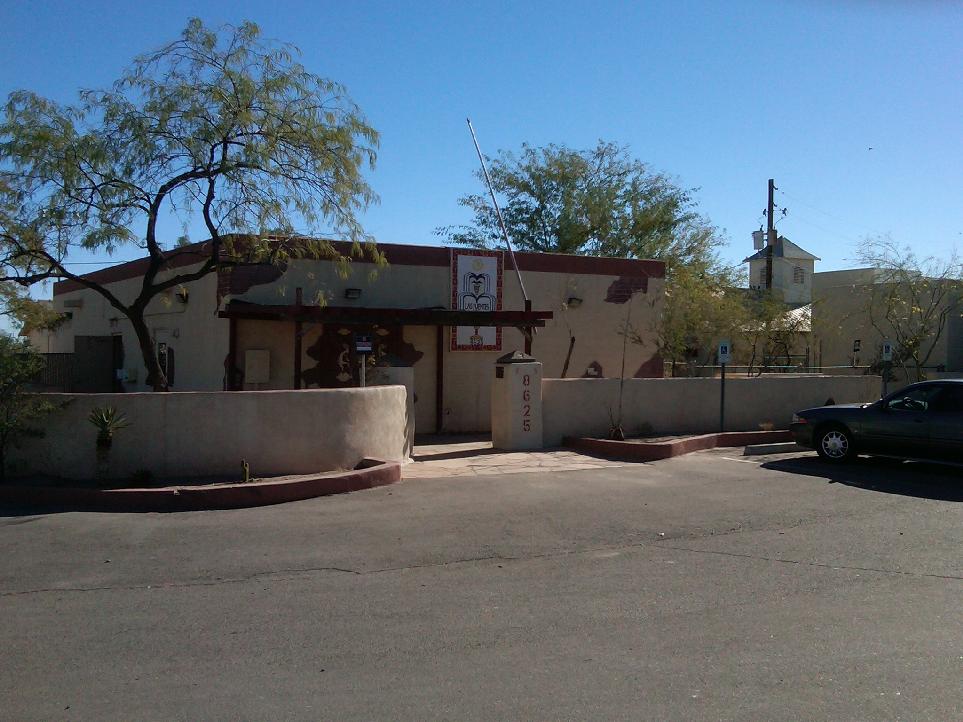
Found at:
<point>887,476</point>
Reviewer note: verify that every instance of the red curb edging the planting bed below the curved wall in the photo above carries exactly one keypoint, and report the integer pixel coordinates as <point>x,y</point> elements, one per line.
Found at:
<point>370,473</point>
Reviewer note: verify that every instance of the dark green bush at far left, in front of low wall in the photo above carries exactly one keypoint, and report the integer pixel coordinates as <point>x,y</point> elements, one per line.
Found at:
<point>19,366</point>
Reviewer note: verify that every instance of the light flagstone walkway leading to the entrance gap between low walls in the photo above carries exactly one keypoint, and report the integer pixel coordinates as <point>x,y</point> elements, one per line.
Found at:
<point>459,455</point>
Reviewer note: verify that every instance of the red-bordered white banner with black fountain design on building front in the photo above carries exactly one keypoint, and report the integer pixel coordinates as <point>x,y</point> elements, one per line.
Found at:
<point>476,285</point>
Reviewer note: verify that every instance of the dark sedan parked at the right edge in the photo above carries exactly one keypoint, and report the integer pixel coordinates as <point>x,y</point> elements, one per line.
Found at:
<point>921,421</point>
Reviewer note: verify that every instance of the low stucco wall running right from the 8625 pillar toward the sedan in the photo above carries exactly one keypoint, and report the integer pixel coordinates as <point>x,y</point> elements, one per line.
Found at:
<point>586,407</point>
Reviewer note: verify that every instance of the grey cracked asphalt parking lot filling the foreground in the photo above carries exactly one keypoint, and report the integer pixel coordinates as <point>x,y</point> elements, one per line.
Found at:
<point>711,586</point>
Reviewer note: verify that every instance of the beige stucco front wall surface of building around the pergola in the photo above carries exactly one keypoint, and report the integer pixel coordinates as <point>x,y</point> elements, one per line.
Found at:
<point>466,406</point>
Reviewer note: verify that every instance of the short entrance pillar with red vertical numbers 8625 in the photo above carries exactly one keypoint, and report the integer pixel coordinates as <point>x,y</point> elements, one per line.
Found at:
<point>517,402</point>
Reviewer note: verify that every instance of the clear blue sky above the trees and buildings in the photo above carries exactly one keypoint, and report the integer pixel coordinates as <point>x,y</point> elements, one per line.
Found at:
<point>720,96</point>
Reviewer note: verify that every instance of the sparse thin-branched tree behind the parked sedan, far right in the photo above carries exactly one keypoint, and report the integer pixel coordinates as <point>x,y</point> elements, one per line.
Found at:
<point>911,300</point>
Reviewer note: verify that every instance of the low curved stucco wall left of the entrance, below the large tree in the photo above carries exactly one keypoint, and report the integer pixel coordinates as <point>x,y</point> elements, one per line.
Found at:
<point>209,433</point>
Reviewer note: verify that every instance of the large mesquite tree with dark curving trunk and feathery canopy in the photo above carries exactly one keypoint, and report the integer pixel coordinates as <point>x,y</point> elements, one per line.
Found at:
<point>218,125</point>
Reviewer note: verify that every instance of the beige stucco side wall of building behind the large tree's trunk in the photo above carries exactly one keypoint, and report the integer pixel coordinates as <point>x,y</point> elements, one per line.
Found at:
<point>199,338</point>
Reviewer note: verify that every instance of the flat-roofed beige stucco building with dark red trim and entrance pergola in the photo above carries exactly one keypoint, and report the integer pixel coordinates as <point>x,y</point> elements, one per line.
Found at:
<point>298,325</point>
